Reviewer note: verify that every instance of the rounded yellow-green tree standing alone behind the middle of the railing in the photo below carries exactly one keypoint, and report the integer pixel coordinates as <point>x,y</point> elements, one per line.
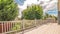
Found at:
<point>33,12</point>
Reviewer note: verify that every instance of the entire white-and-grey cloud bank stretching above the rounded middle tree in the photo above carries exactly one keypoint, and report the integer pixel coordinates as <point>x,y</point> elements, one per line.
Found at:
<point>48,4</point>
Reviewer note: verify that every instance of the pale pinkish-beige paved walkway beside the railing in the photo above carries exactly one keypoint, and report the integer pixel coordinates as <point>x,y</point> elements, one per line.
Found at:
<point>51,28</point>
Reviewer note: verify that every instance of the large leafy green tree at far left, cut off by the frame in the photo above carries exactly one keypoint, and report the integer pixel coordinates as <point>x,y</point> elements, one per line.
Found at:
<point>8,10</point>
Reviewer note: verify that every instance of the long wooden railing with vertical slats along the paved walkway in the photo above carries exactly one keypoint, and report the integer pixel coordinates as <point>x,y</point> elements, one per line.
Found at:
<point>14,26</point>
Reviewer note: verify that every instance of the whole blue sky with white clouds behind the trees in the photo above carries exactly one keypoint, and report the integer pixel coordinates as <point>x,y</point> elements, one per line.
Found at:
<point>49,6</point>
